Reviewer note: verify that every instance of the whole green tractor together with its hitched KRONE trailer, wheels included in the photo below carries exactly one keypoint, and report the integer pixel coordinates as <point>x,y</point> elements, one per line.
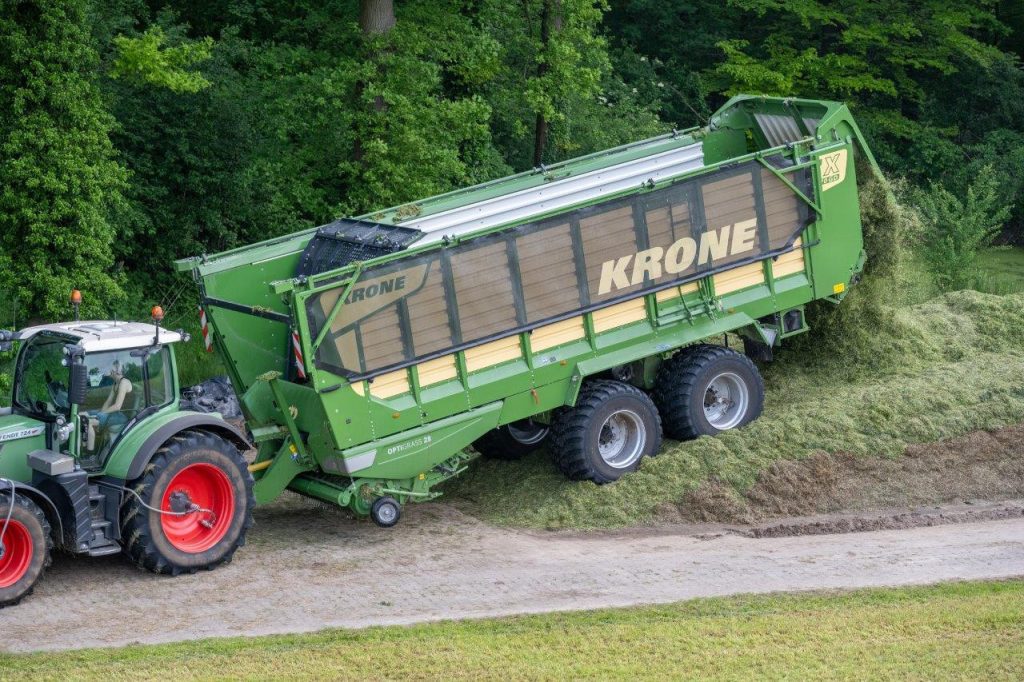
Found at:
<point>567,305</point>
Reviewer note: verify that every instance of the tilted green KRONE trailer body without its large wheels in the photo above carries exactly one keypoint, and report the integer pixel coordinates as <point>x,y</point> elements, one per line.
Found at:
<point>372,376</point>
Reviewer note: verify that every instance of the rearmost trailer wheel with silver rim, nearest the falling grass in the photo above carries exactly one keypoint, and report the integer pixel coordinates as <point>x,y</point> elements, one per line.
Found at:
<point>685,388</point>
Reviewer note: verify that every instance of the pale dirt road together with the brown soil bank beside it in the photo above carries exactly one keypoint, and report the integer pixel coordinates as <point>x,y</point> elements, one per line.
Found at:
<point>951,515</point>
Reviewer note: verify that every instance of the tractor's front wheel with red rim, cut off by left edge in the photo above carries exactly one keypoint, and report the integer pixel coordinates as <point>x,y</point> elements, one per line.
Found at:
<point>28,544</point>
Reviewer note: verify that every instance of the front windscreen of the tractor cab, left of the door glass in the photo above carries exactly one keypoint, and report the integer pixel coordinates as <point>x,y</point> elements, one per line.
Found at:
<point>42,377</point>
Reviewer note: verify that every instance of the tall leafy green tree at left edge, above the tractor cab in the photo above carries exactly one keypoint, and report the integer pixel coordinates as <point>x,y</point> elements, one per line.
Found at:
<point>59,179</point>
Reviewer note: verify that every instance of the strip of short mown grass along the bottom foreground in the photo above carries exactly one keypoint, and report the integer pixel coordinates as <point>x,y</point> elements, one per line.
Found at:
<point>948,632</point>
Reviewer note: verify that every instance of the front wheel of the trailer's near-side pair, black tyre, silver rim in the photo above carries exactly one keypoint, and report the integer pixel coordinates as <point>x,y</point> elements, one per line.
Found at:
<point>606,413</point>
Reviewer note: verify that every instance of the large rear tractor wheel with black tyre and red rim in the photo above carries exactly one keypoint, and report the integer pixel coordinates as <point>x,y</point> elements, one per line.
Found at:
<point>194,467</point>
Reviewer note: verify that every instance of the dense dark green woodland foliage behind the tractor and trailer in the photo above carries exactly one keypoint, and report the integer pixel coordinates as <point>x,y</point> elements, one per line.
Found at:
<point>137,132</point>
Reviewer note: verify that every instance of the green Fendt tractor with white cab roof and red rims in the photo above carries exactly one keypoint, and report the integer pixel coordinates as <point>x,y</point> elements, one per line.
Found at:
<point>96,440</point>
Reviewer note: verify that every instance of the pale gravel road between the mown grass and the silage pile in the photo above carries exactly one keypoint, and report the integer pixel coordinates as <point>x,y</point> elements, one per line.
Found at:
<point>309,567</point>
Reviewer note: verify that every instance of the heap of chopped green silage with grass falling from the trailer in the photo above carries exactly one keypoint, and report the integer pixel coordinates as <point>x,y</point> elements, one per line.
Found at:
<point>875,375</point>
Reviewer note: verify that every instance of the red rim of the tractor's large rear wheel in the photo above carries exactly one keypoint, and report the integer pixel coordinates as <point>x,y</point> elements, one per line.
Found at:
<point>208,488</point>
